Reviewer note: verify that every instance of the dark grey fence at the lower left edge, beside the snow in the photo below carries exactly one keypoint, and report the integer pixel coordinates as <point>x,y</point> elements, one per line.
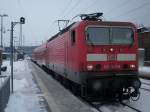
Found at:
<point>4,91</point>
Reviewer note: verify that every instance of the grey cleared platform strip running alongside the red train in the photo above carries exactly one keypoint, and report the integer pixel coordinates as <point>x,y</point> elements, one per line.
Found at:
<point>58,98</point>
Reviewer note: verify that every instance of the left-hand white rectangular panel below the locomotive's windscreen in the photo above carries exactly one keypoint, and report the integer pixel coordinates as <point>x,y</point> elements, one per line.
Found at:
<point>96,57</point>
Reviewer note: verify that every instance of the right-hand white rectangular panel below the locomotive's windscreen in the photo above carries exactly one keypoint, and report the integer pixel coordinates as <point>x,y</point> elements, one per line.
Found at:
<point>126,57</point>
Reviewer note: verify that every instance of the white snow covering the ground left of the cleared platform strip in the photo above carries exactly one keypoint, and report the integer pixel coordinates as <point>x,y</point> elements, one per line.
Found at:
<point>26,97</point>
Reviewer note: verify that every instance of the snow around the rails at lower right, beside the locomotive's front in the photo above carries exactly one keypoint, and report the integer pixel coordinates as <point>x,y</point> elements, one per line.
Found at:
<point>142,104</point>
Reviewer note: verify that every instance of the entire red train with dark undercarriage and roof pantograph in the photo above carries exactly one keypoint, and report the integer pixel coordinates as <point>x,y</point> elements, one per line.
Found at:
<point>94,58</point>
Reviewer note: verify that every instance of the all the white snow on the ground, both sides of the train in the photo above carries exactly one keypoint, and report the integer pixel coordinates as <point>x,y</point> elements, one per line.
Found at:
<point>26,97</point>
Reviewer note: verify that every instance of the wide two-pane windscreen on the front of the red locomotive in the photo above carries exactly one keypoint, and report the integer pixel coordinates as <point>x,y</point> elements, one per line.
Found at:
<point>109,35</point>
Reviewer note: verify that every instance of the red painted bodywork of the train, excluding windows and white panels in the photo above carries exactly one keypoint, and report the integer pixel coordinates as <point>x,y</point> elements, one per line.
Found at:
<point>61,53</point>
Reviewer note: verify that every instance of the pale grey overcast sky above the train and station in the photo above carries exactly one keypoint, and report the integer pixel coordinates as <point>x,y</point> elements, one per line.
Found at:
<point>41,15</point>
